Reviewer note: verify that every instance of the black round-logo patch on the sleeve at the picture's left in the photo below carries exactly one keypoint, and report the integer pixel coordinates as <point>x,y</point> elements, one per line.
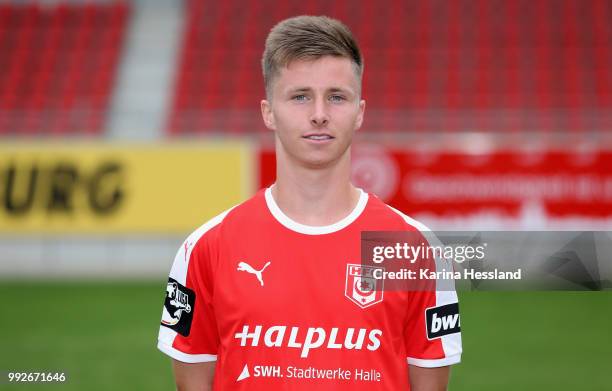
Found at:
<point>178,307</point>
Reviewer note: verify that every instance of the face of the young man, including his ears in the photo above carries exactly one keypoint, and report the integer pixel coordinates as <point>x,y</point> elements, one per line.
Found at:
<point>314,110</point>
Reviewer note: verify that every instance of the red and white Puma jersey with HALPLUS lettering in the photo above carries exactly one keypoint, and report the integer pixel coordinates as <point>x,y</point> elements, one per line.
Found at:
<point>277,305</point>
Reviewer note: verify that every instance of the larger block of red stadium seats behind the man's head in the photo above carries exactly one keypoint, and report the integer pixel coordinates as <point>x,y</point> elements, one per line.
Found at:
<point>486,65</point>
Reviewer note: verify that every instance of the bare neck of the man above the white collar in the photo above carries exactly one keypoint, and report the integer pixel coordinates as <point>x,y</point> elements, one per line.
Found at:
<point>315,197</point>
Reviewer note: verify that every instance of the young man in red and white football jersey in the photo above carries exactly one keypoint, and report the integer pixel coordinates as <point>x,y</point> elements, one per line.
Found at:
<point>266,295</point>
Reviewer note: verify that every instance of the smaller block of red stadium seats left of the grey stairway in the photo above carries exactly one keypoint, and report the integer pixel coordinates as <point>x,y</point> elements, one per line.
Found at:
<point>58,64</point>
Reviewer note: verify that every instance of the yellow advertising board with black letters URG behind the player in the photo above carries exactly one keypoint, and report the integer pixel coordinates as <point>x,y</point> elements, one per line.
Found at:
<point>119,188</point>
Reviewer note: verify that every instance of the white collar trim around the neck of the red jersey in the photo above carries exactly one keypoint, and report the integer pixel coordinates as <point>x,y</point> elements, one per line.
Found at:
<point>312,229</point>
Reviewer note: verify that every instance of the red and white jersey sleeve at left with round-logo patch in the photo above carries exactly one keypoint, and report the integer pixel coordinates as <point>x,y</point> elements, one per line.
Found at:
<point>188,330</point>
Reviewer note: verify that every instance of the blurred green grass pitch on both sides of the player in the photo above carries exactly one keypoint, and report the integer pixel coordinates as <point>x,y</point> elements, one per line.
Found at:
<point>103,335</point>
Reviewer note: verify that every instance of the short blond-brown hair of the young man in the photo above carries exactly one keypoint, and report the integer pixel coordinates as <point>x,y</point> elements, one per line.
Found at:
<point>308,37</point>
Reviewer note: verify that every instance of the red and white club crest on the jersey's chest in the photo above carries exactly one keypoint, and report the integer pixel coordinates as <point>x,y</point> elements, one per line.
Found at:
<point>361,287</point>
